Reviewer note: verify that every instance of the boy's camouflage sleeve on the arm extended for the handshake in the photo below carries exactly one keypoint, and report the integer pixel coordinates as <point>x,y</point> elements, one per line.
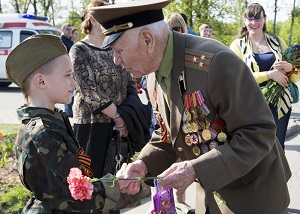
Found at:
<point>46,168</point>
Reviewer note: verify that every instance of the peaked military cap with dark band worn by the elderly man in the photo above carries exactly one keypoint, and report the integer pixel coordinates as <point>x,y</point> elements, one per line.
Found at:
<point>118,18</point>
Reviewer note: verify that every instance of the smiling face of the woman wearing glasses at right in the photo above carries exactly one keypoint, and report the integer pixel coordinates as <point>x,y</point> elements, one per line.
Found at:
<point>255,24</point>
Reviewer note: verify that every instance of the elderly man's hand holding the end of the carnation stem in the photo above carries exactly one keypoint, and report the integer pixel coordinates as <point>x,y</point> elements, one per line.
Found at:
<point>178,176</point>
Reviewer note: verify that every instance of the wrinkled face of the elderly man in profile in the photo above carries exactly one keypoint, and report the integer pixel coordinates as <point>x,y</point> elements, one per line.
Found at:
<point>131,52</point>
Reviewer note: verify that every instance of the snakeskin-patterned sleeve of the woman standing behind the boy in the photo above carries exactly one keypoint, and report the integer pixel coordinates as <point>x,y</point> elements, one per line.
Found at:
<point>85,76</point>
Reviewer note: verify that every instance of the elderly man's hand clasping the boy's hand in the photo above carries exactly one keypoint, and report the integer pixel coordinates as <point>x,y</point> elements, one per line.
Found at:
<point>132,170</point>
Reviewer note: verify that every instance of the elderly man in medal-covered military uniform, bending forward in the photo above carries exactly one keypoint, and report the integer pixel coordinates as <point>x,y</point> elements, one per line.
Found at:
<point>211,113</point>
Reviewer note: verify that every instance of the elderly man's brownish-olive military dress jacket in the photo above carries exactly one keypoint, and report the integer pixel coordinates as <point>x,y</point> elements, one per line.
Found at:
<point>249,171</point>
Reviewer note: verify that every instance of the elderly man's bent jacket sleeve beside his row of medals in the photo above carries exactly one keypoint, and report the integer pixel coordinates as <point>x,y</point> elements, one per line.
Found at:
<point>240,103</point>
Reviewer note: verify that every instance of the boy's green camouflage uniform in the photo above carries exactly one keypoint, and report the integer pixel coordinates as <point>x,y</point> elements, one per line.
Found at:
<point>45,152</point>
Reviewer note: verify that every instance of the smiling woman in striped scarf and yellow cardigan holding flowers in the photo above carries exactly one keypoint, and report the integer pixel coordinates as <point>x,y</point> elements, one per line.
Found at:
<point>262,52</point>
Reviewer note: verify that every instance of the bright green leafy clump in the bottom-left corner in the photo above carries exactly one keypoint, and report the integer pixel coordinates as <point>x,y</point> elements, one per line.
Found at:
<point>13,199</point>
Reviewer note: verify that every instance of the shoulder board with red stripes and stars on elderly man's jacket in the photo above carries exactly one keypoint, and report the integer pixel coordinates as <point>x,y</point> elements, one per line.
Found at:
<point>196,59</point>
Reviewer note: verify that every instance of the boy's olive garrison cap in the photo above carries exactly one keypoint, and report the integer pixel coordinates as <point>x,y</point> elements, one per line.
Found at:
<point>31,54</point>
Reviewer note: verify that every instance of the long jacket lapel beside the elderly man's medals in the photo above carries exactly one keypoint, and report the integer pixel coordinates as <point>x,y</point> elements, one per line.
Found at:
<point>176,97</point>
